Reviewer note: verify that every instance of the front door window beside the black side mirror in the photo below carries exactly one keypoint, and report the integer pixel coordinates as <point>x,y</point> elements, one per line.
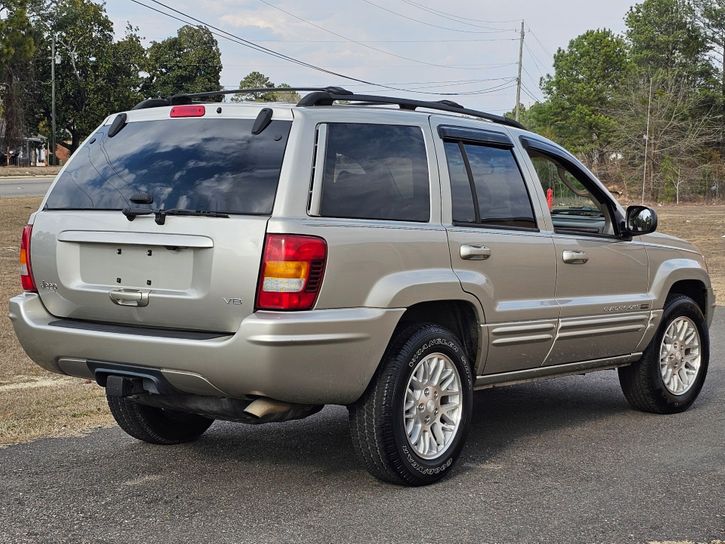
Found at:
<point>573,207</point>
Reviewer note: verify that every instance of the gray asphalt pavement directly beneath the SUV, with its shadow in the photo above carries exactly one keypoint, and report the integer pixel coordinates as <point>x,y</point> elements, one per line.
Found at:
<point>558,461</point>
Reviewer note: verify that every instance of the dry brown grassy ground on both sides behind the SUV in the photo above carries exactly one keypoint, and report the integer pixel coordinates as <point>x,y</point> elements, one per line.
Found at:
<point>36,403</point>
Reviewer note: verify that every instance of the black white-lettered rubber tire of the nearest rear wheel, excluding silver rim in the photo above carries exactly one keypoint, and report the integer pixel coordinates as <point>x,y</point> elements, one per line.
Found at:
<point>376,419</point>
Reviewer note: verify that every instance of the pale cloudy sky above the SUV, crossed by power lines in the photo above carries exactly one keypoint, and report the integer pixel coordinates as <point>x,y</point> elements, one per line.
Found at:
<point>467,47</point>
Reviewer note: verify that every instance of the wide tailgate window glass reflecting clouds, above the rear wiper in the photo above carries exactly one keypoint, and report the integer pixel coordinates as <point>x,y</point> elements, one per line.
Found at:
<point>191,164</point>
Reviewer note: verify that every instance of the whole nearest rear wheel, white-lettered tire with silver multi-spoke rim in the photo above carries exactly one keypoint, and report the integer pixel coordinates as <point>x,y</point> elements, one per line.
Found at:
<point>410,425</point>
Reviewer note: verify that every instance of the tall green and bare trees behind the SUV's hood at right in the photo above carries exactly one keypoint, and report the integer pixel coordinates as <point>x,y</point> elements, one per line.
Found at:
<point>598,102</point>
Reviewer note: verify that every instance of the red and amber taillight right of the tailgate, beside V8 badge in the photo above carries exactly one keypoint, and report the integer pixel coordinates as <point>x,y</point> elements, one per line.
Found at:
<point>291,272</point>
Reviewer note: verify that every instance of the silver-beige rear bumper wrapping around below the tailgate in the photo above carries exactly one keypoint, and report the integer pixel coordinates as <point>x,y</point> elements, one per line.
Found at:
<point>315,357</point>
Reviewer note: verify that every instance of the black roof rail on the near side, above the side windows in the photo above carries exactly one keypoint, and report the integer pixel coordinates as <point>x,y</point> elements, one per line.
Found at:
<point>326,97</point>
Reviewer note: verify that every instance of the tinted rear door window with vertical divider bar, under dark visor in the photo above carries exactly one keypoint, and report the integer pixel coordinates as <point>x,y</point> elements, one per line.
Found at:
<point>487,187</point>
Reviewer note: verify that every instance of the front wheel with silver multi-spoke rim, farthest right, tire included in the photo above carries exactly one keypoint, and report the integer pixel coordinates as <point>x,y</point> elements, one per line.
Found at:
<point>672,370</point>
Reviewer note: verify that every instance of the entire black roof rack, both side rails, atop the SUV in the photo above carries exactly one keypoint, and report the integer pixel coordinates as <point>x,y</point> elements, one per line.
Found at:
<point>326,96</point>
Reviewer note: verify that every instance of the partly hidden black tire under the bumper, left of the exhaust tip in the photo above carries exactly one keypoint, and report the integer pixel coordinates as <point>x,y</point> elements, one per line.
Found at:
<point>156,425</point>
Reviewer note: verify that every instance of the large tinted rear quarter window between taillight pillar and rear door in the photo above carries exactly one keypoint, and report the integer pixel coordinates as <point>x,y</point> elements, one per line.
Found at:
<point>375,172</point>
